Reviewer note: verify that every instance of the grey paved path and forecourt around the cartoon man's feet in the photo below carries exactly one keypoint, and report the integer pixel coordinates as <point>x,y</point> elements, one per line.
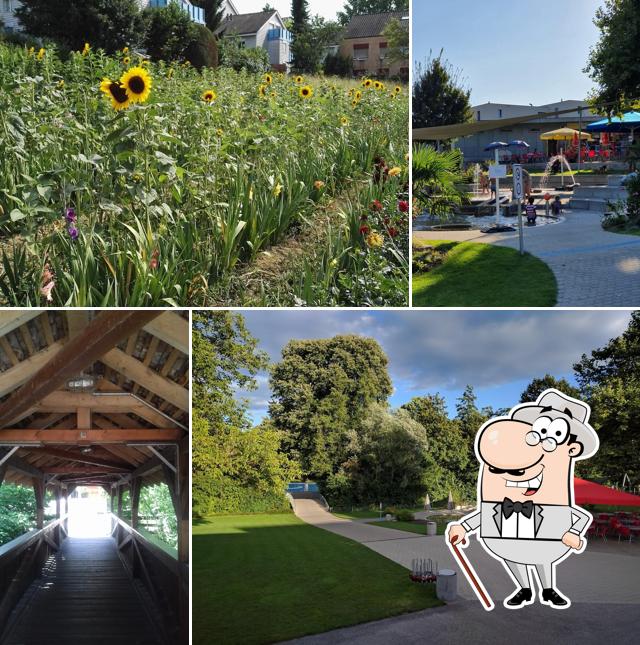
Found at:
<point>602,584</point>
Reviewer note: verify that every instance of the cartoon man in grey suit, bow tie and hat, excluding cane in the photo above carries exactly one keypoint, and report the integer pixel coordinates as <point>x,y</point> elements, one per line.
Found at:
<point>526,516</point>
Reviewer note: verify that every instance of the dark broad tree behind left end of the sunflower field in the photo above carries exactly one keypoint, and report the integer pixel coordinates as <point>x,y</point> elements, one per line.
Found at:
<point>106,24</point>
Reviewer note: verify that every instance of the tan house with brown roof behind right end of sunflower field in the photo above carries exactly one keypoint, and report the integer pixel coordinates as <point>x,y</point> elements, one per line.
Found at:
<point>364,42</point>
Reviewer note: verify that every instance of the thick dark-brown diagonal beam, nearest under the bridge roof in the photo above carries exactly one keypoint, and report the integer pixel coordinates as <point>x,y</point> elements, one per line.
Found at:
<point>100,335</point>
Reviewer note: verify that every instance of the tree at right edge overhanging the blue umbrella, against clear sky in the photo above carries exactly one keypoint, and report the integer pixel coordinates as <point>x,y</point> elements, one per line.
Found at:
<point>614,63</point>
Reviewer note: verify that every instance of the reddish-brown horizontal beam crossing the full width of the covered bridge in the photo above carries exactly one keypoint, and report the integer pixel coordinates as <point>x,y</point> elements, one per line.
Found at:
<point>25,436</point>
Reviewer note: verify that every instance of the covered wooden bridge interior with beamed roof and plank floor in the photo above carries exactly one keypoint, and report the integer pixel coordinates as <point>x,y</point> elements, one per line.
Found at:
<point>94,398</point>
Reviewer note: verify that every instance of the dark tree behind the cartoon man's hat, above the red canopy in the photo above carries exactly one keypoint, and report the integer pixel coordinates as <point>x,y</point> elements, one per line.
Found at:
<point>610,380</point>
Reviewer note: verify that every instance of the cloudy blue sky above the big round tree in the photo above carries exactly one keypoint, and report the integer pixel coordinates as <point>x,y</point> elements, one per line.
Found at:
<point>498,352</point>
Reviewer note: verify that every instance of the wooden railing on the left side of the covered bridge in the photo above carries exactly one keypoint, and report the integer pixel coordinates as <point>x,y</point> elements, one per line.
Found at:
<point>22,560</point>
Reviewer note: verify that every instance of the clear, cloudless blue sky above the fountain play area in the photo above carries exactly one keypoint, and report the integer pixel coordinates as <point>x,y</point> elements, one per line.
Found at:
<point>516,51</point>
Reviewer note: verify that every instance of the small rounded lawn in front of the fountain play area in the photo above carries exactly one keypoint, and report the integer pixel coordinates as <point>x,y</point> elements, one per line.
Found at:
<point>484,275</point>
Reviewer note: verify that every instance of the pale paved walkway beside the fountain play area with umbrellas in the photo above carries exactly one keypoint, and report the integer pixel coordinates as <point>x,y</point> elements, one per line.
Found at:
<point>593,268</point>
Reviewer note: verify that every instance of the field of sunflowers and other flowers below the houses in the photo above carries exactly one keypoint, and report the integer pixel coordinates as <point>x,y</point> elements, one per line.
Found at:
<point>128,183</point>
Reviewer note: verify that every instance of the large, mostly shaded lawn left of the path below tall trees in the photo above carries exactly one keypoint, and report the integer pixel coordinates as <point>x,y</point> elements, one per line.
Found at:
<point>267,578</point>
